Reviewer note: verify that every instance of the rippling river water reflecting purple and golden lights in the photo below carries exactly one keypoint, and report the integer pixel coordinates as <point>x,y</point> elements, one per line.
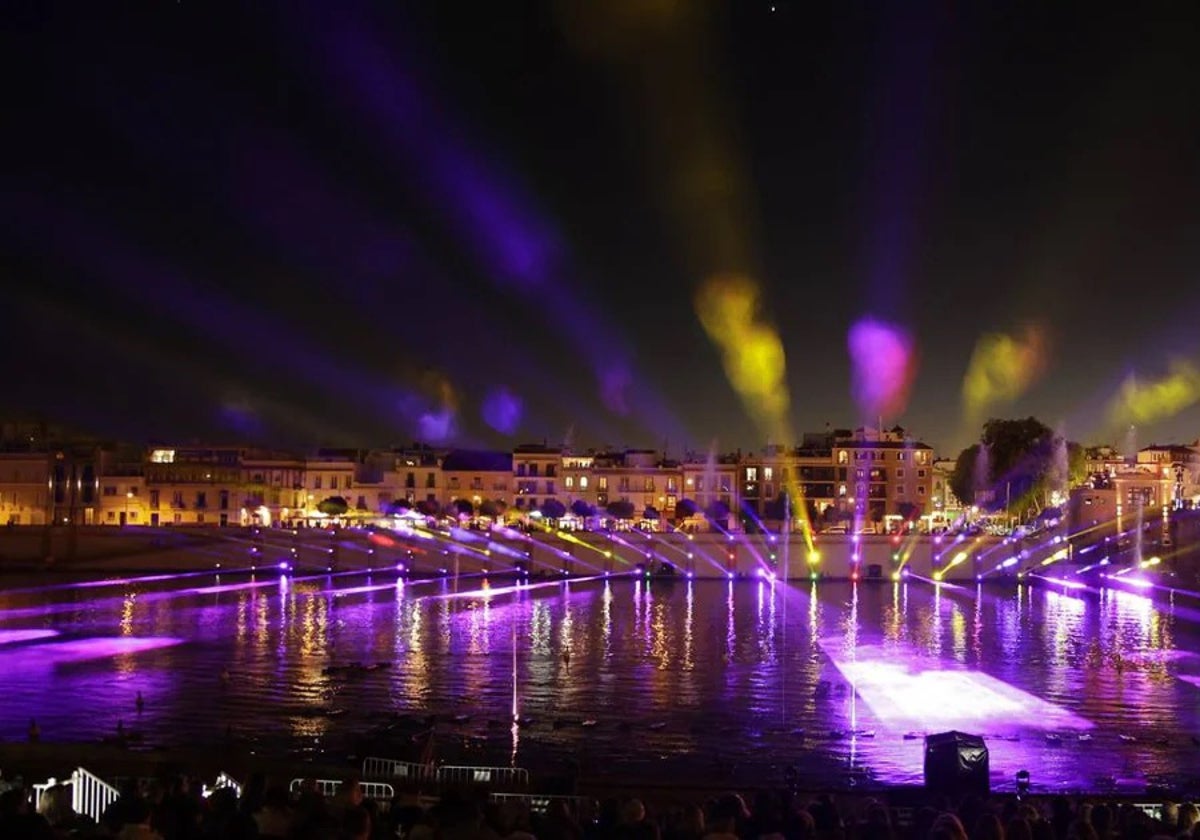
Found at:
<point>830,685</point>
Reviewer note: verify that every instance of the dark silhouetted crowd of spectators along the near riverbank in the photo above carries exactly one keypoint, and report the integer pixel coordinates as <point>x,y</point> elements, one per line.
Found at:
<point>176,811</point>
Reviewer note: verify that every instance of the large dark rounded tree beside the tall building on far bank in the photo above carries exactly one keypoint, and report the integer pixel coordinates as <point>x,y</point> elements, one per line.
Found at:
<point>1017,464</point>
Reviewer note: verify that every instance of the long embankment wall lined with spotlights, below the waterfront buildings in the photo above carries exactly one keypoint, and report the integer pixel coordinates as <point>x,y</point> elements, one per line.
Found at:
<point>461,551</point>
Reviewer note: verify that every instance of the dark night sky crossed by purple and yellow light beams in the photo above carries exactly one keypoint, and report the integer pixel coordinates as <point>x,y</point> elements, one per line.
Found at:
<point>347,224</point>
